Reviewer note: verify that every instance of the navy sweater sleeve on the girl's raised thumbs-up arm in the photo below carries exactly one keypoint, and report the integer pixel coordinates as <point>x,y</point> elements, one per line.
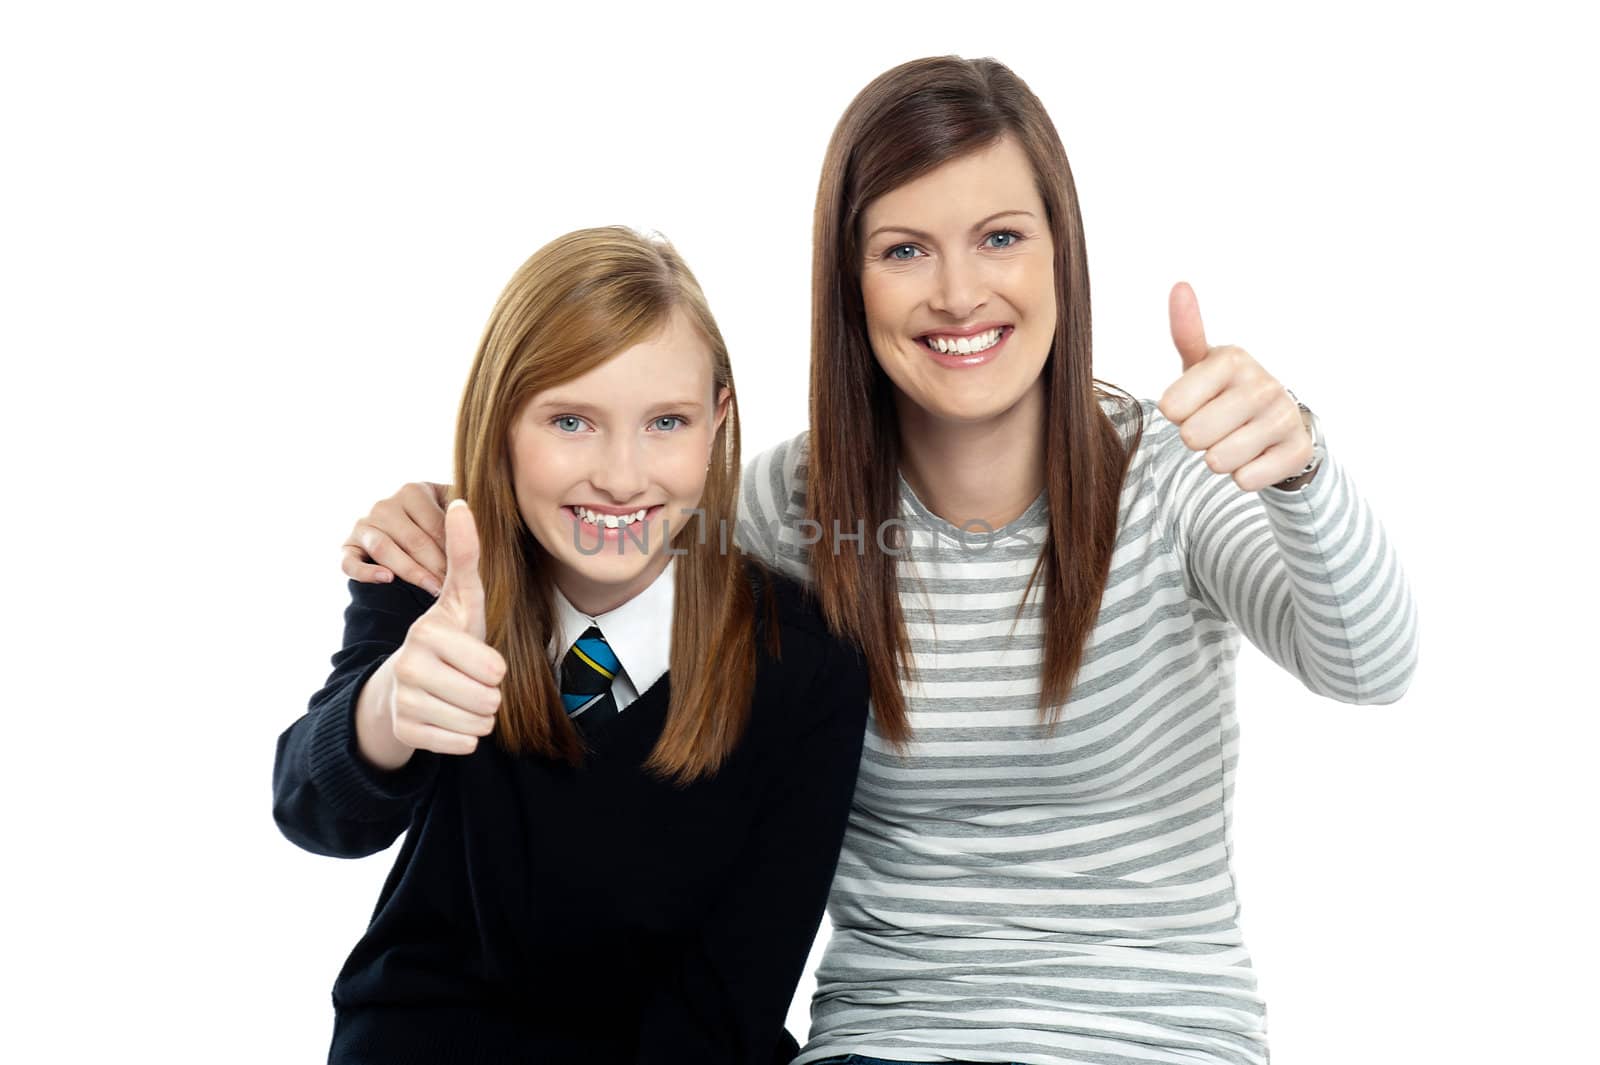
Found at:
<point>326,796</point>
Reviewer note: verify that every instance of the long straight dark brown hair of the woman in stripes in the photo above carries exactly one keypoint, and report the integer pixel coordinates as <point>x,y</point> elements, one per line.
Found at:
<point>908,122</point>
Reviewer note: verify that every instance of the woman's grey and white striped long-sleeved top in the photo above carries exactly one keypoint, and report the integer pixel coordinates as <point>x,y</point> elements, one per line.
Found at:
<point>1012,896</point>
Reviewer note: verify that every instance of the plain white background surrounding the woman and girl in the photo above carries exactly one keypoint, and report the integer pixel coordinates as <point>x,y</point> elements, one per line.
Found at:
<point>247,257</point>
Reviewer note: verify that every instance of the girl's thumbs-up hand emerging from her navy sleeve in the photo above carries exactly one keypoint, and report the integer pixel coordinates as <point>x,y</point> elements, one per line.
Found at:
<point>444,682</point>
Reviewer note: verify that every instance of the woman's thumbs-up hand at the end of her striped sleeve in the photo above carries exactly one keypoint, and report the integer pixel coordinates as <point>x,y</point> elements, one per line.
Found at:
<point>1228,407</point>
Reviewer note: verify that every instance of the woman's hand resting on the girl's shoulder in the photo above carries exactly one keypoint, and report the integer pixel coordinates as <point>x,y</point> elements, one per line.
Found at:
<point>402,536</point>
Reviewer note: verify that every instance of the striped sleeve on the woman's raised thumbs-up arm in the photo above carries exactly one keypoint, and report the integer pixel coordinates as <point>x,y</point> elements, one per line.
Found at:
<point>1308,576</point>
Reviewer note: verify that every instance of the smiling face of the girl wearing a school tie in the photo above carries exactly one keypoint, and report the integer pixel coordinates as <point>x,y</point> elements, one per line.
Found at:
<point>607,465</point>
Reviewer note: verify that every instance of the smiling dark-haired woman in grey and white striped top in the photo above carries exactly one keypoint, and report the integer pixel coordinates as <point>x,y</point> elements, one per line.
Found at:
<point>1050,588</point>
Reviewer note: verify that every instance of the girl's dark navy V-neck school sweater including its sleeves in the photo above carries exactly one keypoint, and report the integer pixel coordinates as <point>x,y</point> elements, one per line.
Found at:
<point>593,915</point>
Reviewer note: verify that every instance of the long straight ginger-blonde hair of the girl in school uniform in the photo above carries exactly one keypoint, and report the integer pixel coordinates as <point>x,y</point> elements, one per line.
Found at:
<point>572,306</point>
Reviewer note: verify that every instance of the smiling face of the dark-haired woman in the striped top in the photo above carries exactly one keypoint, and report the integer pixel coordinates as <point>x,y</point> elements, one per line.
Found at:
<point>959,285</point>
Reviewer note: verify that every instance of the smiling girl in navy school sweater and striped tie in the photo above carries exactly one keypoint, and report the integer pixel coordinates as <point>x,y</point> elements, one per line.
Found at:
<point>634,868</point>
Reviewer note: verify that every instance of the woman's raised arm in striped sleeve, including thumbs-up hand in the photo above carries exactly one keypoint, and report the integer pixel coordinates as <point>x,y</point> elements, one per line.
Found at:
<point>1306,573</point>
